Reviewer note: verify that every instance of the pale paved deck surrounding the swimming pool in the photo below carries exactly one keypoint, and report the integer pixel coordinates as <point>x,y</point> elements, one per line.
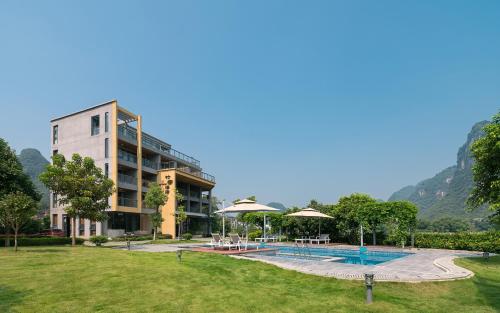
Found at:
<point>421,266</point>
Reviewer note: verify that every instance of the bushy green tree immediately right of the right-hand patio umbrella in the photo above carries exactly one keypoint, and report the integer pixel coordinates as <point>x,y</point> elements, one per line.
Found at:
<point>347,214</point>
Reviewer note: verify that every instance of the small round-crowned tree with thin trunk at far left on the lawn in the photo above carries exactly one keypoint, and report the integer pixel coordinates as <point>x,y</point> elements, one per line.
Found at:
<point>18,208</point>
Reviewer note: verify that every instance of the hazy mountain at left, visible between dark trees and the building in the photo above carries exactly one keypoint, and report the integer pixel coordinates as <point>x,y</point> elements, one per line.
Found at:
<point>34,163</point>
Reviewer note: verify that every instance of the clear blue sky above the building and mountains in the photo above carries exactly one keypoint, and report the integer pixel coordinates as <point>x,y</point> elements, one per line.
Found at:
<point>287,100</point>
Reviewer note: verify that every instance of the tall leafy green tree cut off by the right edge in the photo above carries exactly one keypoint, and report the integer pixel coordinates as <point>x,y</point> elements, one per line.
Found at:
<point>486,169</point>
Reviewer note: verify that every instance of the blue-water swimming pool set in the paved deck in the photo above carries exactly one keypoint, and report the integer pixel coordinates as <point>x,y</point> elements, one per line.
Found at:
<point>348,256</point>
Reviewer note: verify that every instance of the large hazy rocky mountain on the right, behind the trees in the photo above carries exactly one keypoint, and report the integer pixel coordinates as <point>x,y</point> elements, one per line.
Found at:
<point>445,194</point>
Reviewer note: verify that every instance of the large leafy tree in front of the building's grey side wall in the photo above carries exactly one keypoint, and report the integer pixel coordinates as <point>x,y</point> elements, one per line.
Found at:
<point>81,186</point>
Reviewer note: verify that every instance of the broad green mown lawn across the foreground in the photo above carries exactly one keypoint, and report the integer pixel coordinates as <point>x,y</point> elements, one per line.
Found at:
<point>88,279</point>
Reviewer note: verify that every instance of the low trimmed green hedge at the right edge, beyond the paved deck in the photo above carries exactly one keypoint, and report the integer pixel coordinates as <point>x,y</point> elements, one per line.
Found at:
<point>473,241</point>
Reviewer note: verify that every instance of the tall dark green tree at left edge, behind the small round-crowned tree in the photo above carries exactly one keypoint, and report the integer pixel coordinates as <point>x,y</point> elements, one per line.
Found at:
<point>13,179</point>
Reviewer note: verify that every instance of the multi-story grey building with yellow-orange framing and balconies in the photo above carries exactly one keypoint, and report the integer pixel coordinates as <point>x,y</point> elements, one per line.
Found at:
<point>113,137</point>
